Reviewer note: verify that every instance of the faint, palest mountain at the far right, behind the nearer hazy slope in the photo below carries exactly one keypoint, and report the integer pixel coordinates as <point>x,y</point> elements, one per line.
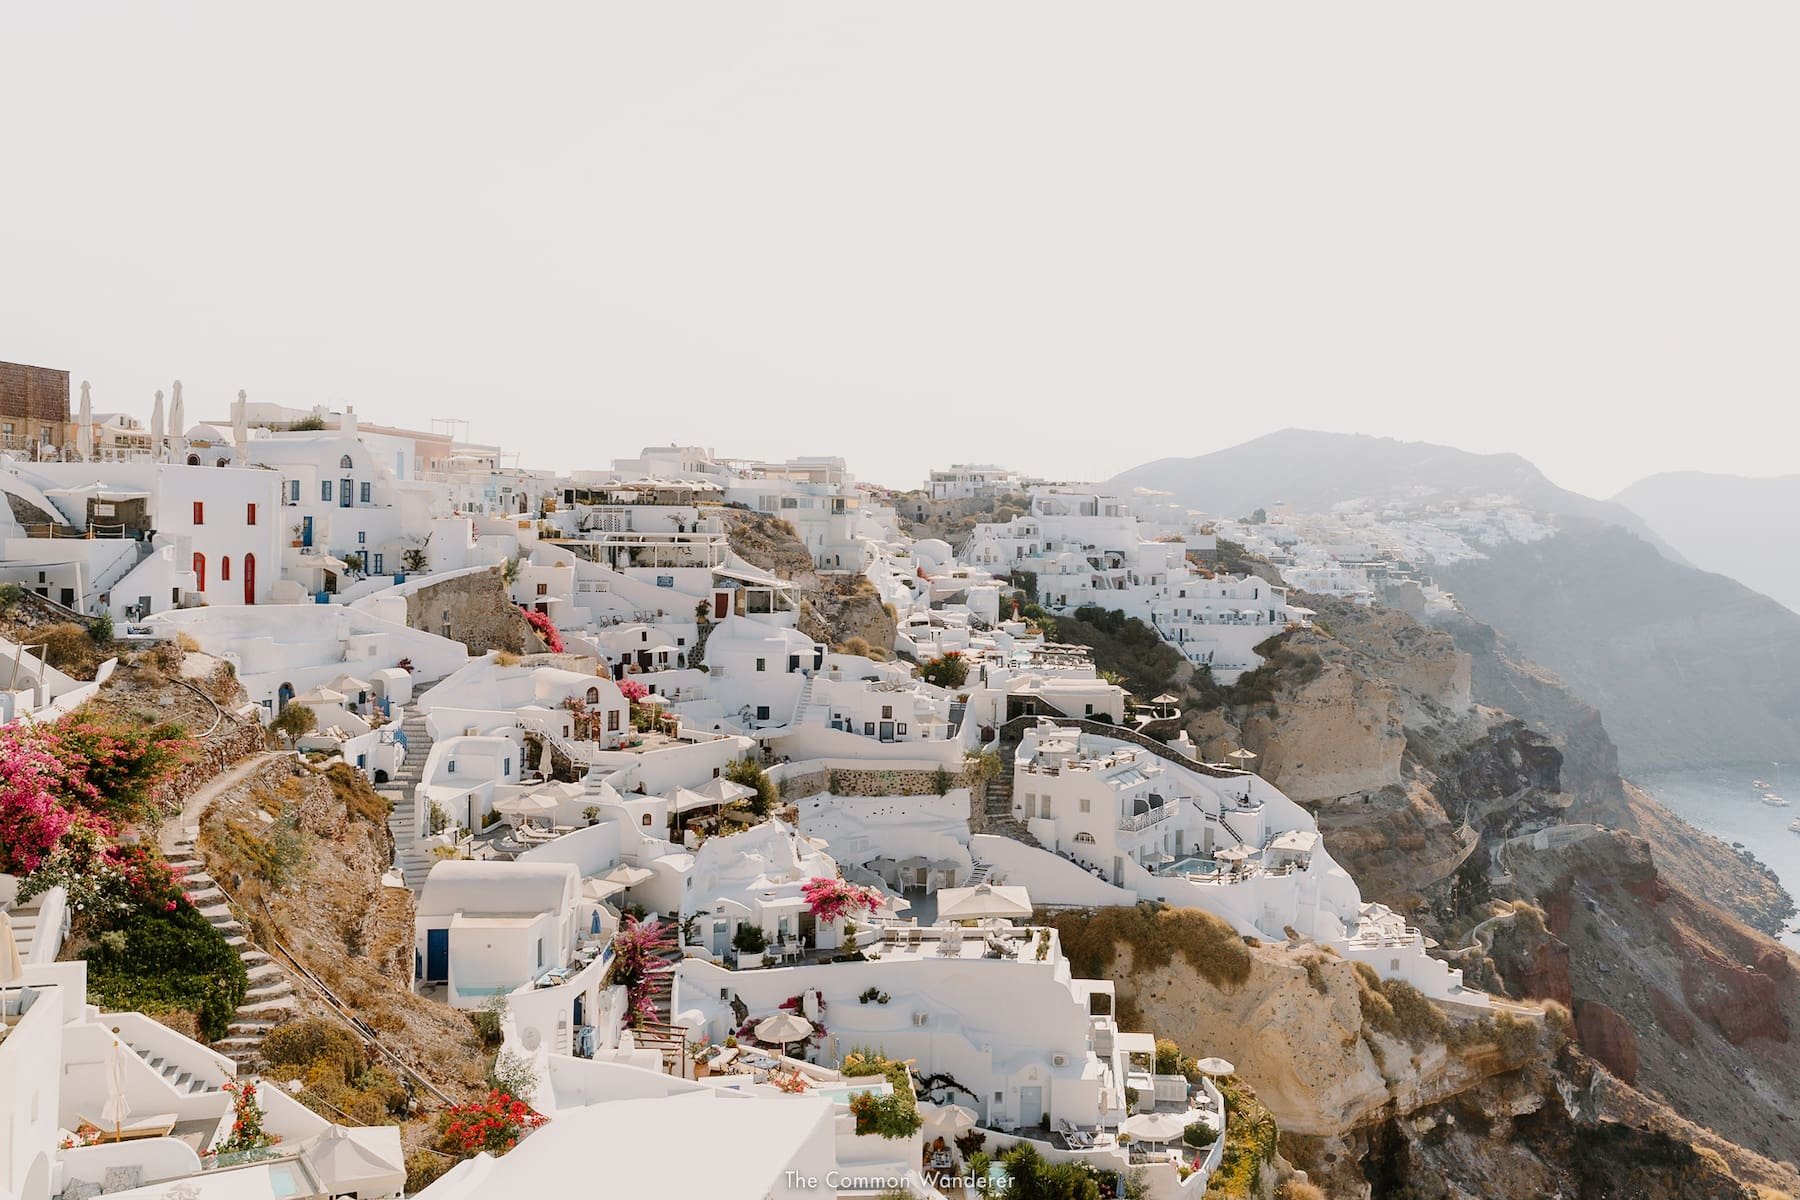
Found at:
<point>1741,528</point>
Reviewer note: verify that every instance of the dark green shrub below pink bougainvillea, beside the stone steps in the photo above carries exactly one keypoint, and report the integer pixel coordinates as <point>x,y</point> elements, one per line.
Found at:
<point>168,963</point>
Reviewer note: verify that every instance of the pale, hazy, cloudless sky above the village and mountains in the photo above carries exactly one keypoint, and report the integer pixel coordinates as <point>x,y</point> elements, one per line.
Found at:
<point>1068,238</point>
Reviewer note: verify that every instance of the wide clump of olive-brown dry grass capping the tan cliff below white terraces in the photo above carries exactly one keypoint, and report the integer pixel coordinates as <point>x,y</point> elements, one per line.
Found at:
<point>1092,940</point>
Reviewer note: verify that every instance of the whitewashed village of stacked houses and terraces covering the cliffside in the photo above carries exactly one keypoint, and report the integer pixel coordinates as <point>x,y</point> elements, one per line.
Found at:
<point>676,963</point>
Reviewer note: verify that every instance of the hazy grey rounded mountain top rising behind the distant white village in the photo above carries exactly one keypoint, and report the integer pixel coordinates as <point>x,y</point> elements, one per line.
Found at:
<point>1315,472</point>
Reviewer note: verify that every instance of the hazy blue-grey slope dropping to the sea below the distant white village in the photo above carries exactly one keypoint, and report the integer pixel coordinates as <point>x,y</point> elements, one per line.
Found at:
<point>1689,668</point>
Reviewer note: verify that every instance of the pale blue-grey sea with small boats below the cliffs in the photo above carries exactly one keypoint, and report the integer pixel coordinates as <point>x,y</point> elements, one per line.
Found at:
<point>1723,803</point>
